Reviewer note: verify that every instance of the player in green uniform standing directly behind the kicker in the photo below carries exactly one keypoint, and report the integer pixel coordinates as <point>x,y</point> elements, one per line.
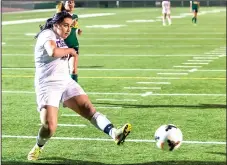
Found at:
<point>72,41</point>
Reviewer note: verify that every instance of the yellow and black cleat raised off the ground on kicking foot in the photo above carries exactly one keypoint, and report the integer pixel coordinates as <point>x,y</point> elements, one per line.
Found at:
<point>122,133</point>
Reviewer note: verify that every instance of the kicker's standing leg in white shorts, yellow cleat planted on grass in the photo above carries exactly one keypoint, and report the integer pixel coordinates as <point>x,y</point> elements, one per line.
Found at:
<point>48,103</point>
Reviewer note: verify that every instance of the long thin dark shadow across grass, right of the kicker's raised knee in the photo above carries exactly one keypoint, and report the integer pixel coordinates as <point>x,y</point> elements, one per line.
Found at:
<point>199,106</point>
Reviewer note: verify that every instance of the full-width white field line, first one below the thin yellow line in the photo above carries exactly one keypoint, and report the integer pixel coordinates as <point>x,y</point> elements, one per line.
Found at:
<point>128,94</point>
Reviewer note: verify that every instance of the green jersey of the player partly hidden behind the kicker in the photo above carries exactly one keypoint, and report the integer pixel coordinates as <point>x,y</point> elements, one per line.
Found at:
<point>72,41</point>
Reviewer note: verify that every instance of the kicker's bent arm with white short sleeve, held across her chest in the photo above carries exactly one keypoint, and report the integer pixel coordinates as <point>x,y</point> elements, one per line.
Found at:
<point>54,51</point>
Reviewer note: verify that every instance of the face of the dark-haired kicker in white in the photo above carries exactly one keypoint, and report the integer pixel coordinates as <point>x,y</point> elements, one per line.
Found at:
<point>64,28</point>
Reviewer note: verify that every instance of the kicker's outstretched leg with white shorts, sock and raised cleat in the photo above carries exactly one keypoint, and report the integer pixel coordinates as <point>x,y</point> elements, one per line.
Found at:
<point>78,101</point>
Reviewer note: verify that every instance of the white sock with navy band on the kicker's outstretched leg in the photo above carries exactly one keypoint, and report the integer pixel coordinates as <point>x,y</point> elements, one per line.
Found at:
<point>102,123</point>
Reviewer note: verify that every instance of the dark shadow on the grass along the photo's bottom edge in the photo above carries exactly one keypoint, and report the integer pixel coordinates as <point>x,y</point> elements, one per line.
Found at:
<point>64,161</point>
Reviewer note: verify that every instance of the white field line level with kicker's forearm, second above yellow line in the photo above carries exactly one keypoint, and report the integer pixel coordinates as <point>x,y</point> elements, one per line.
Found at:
<point>126,55</point>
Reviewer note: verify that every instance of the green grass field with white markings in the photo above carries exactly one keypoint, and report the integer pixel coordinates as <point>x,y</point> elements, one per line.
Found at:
<point>143,67</point>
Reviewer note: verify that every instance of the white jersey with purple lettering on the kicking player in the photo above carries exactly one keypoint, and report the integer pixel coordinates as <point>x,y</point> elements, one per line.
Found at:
<point>49,68</point>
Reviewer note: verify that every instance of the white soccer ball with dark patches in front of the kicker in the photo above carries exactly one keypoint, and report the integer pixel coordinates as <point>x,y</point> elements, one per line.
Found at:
<point>168,137</point>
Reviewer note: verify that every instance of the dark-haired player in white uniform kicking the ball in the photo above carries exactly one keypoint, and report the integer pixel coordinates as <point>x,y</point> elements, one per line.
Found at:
<point>54,86</point>
